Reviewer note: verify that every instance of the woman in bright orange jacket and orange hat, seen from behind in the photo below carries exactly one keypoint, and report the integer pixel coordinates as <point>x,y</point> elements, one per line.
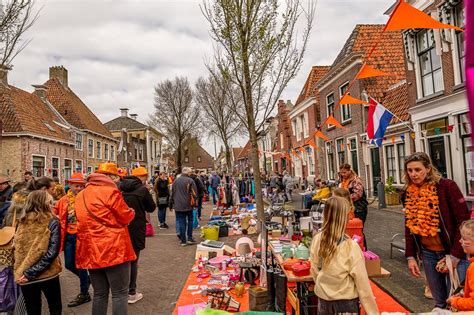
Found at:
<point>103,241</point>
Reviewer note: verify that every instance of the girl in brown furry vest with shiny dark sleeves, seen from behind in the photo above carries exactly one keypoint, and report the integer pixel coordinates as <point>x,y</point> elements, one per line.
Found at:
<point>37,265</point>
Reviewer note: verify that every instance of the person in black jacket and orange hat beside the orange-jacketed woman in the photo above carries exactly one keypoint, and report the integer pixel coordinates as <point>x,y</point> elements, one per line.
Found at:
<point>137,196</point>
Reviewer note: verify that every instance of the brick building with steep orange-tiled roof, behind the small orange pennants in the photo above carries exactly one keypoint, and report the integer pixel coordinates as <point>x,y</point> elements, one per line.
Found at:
<point>348,145</point>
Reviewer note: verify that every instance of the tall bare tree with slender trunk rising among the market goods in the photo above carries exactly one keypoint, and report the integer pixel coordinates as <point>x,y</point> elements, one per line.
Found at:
<point>257,49</point>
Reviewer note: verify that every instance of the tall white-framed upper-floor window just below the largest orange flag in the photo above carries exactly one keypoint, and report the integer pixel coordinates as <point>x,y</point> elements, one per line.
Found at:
<point>430,63</point>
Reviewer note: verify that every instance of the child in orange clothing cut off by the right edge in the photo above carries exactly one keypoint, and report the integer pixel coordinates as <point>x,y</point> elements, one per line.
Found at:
<point>466,302</point>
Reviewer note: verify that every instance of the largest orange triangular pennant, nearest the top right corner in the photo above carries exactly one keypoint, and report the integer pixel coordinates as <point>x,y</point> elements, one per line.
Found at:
<point>407,17</point>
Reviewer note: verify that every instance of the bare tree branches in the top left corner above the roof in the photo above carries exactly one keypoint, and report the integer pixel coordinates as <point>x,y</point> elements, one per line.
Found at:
<point>16,17</point>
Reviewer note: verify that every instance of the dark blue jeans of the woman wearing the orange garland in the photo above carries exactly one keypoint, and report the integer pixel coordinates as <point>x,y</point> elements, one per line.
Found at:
<point>439,282</point>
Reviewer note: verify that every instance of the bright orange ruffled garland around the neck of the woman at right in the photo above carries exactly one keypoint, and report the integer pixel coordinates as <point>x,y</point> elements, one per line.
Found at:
<point>422,210</point>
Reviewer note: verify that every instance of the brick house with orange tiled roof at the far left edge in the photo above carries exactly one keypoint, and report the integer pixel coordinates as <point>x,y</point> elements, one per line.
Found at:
<point>34,136</point>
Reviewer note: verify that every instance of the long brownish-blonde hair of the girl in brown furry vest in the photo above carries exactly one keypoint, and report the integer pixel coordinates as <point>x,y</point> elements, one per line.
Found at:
<point>37,207</point>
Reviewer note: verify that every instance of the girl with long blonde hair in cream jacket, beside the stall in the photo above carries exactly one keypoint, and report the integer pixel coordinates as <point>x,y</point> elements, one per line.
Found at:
<point>338,266</point>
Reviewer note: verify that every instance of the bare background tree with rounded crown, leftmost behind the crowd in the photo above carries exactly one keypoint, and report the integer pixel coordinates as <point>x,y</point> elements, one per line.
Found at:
<point>176,115</point>
